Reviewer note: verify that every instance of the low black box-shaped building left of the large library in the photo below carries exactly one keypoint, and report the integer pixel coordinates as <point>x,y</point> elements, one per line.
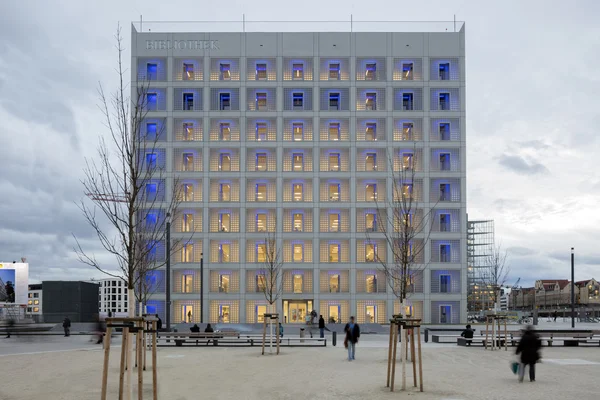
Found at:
<point>77,300</point>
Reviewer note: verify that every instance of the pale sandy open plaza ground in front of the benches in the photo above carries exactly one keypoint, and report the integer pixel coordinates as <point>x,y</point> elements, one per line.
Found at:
<point>69,368</point>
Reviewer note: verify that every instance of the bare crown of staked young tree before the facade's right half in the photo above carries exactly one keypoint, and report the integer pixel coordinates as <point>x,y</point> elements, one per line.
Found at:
<point>406,229</point>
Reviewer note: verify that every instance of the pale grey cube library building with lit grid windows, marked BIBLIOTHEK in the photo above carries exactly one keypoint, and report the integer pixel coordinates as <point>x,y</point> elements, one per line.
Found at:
<point>300,135</point>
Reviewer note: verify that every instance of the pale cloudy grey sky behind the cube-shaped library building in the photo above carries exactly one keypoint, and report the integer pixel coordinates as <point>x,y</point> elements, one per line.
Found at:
<point>532,118</point>
